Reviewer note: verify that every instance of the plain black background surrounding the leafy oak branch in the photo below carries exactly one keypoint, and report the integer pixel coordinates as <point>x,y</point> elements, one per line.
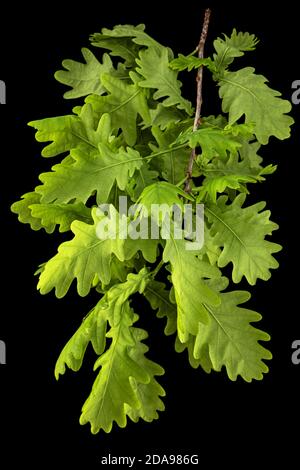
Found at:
<point>230,423</point>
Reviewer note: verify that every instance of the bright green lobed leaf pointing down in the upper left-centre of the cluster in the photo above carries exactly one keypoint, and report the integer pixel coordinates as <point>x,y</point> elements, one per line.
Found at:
<point>124,103</point>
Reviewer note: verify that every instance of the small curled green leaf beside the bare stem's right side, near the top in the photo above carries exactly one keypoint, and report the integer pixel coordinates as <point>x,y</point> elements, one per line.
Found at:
<point>228,49</point>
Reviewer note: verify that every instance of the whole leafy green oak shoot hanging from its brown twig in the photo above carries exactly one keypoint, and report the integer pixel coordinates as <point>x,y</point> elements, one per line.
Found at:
<point>135,135</point>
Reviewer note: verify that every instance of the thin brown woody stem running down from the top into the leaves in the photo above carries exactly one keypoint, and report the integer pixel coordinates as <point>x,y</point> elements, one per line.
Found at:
<point>199,80</point>
